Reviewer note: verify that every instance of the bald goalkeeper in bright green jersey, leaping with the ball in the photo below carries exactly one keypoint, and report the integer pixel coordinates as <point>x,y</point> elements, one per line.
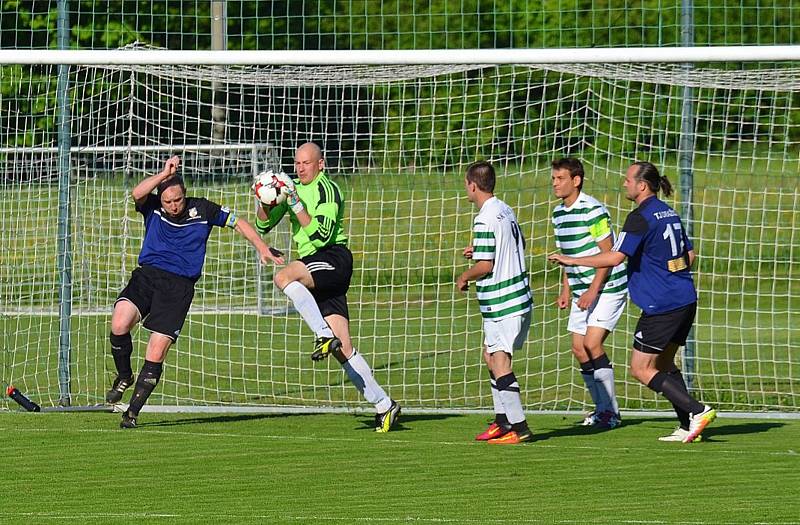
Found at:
<point>317,283</point>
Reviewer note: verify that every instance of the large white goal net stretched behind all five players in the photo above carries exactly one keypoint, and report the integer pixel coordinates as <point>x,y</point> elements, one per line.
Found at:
<point>397,140</point>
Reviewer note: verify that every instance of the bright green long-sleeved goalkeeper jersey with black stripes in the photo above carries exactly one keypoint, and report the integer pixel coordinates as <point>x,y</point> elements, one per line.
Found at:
<point>323,200</point>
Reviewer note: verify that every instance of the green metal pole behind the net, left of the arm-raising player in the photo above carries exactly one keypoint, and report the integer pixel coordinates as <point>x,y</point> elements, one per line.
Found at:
<point>64,226</point>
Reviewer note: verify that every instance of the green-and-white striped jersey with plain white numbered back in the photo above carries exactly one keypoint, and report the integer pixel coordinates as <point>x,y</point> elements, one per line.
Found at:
<point>503,292</point>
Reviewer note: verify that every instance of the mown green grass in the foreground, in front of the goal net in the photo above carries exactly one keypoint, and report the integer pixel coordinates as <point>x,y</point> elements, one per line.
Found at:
<point>234,468</point>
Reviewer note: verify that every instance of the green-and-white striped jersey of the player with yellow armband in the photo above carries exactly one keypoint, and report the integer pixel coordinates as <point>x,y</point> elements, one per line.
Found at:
<point>578,229</point>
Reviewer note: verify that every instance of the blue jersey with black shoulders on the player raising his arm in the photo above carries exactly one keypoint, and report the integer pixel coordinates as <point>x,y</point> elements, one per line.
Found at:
<point>178,244</point>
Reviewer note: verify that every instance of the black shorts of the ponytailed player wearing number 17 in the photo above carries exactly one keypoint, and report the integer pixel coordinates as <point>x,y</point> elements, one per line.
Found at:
<point>655,331</point>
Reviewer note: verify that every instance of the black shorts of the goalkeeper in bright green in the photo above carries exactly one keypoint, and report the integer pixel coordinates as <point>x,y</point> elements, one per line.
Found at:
<point>331,269</point>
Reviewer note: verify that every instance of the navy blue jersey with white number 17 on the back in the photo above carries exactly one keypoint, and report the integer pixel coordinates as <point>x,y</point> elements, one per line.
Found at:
<point>653,238</point>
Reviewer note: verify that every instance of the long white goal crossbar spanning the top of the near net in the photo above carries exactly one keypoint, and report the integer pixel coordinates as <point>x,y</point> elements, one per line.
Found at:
<point>138,56</point>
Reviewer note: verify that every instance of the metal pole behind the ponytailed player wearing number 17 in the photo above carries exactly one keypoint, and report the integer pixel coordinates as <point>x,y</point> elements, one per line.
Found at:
<point>686,164</point>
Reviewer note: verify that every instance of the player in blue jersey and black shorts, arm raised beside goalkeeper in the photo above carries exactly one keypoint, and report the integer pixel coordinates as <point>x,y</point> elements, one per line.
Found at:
<point>160,291</point>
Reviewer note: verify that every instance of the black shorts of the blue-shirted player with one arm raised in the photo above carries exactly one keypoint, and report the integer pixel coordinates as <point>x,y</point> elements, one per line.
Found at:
<point>162,298</point>
